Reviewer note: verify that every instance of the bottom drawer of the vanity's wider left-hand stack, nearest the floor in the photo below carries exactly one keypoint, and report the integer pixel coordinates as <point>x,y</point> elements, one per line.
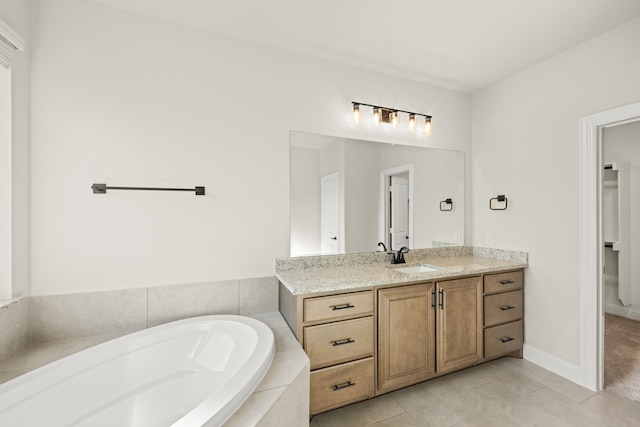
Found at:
<point>341,385</point>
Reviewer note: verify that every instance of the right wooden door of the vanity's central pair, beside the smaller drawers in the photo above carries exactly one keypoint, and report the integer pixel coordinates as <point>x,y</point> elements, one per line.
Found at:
<point>459,323</point>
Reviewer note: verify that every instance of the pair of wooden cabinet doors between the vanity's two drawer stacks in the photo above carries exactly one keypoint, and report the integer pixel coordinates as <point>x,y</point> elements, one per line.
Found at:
<point>428,329</point>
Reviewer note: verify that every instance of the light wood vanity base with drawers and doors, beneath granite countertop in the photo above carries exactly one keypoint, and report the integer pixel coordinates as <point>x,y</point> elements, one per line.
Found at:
<point>370,341</point>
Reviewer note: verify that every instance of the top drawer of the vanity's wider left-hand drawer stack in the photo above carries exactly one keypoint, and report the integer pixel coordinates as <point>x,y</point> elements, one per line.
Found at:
<point>338,306</point>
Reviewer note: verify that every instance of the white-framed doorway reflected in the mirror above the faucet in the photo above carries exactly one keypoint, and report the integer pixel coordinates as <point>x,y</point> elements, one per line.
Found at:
<point>396,207</point>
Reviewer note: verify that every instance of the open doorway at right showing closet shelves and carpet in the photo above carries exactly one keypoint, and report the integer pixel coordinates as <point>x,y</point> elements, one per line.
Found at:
<point>621,275</point>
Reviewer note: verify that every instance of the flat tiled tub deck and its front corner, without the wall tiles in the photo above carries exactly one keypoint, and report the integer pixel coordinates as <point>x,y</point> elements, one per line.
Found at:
<point>282,398</point>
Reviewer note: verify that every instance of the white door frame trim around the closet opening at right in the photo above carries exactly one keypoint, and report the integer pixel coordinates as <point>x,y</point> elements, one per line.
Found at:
<point>591,240</point>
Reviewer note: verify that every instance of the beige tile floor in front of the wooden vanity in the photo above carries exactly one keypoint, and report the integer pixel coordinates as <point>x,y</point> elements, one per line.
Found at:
<point>505,392</point>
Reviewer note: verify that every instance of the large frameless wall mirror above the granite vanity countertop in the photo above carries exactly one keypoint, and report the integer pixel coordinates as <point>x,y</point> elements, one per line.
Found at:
<point>346,195</point>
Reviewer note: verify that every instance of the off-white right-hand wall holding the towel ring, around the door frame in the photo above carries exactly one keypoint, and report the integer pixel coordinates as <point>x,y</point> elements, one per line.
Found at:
<point>526,146</point>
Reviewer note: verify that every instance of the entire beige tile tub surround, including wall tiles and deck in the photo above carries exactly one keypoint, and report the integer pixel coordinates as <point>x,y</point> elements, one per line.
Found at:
<point>38,330</point>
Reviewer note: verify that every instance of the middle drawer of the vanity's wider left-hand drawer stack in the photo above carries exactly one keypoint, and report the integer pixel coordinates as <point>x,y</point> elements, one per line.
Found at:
<point>339,342</point>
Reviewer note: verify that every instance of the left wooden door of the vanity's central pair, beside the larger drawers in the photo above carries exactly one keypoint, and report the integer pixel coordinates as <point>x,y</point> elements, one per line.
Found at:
<point>406,336</point>
